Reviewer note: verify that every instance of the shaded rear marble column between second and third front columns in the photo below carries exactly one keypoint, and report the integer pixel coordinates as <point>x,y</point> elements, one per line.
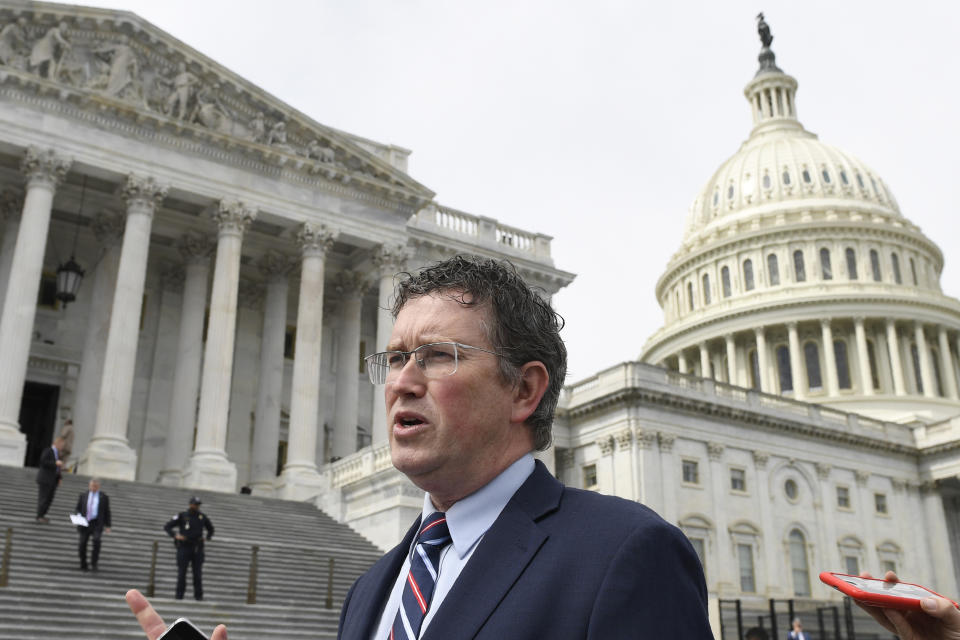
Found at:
<point>195,248</point>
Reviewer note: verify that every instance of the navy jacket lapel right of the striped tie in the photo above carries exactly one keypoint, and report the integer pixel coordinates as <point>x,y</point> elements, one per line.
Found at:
<point>501,557</point>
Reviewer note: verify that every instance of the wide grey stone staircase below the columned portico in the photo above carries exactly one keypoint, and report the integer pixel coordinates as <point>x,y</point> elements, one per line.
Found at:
<point>49,597</point>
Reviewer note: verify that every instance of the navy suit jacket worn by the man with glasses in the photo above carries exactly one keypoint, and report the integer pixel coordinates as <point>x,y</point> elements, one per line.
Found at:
<point>557,563</point>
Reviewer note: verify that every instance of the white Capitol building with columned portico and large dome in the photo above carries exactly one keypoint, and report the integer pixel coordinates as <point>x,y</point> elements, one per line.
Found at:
<point>797,411</point>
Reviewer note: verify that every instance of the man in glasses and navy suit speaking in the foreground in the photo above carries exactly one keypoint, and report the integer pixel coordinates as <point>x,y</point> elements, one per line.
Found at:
<point>472,375</point>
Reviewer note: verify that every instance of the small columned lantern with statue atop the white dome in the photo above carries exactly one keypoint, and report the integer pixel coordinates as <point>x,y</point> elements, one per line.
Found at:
<point>771,92</point>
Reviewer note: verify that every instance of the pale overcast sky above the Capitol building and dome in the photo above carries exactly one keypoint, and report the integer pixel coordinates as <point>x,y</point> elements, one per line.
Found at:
<point>598,122</point>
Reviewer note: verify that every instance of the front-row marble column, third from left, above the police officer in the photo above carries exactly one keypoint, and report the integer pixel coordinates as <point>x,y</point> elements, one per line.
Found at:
<point>208,466</point>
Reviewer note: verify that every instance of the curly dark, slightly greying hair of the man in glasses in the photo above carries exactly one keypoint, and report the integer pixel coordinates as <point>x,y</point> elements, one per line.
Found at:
<point>524,326</point>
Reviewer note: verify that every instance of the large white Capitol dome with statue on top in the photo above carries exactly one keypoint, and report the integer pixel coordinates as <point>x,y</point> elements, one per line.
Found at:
<point>798,275</point>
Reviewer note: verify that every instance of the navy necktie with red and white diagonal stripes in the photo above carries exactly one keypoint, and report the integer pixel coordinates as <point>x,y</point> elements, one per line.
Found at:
<point>418,589</point>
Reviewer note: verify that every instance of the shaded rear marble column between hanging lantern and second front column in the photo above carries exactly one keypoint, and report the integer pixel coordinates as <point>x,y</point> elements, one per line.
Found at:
<point>108,229</point>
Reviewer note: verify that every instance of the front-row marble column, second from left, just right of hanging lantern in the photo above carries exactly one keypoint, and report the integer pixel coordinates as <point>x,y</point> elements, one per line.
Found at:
<point>109,453</point>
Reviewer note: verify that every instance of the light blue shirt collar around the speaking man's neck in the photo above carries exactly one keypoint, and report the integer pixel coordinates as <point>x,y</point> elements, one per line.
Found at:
<point>470,517</point>
